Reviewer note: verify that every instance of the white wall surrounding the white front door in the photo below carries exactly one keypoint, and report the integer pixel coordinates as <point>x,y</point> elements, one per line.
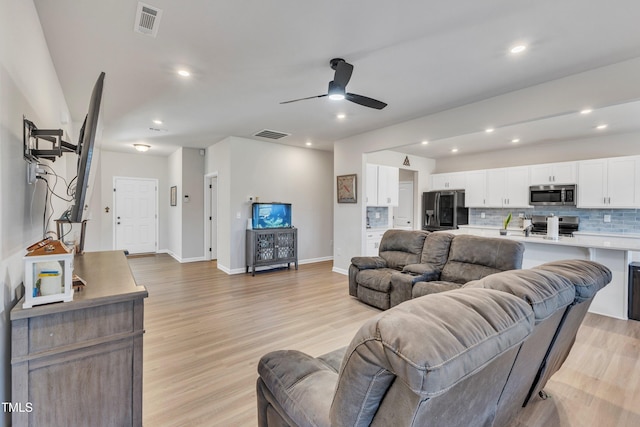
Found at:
<point>135,165</point>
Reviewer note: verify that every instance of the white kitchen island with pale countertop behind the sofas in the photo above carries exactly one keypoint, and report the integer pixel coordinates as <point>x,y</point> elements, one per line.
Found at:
<point>614,251</point>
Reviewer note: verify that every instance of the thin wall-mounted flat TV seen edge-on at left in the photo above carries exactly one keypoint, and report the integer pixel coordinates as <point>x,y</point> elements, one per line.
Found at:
<point>85,151</point>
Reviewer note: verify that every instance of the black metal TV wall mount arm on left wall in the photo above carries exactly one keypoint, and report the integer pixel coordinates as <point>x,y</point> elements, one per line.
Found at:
<point>55,147</point>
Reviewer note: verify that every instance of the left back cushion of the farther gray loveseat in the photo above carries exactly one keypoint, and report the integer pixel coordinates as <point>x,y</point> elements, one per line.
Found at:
<point>401,247</point>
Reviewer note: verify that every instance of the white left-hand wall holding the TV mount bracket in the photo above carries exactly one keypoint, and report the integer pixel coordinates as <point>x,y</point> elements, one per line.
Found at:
<point>28,86</point>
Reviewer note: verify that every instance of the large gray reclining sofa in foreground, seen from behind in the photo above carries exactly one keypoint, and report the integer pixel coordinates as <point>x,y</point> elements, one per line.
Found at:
<point>469,356</point>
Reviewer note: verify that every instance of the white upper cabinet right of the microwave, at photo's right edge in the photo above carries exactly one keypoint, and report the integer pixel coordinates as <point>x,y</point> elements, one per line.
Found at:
<point>609,183</point>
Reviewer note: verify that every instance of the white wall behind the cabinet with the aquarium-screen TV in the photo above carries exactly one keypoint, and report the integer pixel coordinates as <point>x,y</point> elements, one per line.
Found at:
<point>272,172</point>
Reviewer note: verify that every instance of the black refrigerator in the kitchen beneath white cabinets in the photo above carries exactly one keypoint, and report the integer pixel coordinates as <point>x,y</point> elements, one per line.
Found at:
<point>443,210</point>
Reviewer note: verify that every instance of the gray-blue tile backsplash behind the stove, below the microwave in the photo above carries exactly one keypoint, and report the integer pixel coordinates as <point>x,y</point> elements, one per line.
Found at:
<point>623,221</point>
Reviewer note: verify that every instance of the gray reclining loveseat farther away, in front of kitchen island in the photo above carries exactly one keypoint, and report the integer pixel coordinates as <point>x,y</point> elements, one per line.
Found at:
<point>416,263</point>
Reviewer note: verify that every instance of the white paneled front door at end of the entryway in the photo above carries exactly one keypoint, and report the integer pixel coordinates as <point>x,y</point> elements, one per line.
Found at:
<point>135,214</point>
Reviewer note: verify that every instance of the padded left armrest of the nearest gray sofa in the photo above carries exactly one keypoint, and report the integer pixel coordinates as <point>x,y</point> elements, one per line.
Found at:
<point>299,386</point>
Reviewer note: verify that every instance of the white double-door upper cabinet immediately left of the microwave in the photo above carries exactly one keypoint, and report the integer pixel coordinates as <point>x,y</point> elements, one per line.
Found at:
<point>508,187</point>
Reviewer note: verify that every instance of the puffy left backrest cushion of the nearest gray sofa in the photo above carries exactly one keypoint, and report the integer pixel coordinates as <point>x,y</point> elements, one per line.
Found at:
<point>430,344</point>
